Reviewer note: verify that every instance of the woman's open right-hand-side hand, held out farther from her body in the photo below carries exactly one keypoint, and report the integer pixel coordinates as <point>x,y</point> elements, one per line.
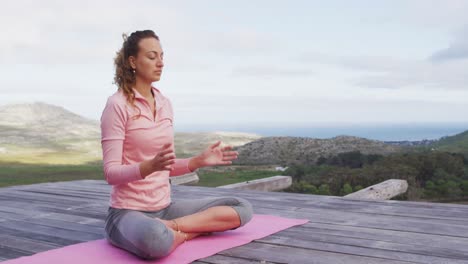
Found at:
<point>216,155</point>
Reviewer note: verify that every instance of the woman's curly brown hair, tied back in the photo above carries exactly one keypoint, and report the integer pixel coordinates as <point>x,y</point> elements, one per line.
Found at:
<point>124,76</point>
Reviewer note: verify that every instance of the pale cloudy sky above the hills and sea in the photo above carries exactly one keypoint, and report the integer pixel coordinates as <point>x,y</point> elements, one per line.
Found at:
<point>252,63</point>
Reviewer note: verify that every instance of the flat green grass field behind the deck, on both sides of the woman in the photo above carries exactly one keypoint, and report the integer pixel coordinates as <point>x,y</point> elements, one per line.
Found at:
<point>12,174</point>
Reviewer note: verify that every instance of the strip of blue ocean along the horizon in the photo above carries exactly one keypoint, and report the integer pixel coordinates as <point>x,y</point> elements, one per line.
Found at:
<point>383,132</point>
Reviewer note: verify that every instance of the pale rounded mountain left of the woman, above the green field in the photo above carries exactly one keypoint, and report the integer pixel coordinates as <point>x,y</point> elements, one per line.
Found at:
<point>38,132</point>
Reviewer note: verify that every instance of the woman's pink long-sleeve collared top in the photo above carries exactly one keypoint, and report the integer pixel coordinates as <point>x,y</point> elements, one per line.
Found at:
<point>127,141</point>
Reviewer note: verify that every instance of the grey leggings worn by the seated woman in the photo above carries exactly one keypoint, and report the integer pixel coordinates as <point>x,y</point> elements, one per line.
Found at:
<point>138,233</point>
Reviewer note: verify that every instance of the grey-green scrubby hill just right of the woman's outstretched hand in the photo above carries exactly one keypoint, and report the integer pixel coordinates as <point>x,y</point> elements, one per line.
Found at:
<point>286,150</point>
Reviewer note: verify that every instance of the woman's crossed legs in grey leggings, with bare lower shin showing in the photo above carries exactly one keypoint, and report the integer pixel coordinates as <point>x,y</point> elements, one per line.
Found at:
<point>139,233</point>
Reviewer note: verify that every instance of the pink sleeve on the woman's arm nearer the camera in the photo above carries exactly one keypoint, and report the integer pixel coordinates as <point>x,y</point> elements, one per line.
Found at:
<point>113,122</point>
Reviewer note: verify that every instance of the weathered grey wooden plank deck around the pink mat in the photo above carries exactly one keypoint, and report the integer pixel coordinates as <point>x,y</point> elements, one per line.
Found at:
<point>40,217</point>
